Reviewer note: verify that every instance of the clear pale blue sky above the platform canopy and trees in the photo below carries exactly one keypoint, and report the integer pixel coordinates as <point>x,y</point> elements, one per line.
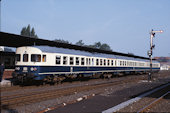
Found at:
<point>122,24</point>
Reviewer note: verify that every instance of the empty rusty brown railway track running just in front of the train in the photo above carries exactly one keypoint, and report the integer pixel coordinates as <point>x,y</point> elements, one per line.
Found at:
<point>38,96</point>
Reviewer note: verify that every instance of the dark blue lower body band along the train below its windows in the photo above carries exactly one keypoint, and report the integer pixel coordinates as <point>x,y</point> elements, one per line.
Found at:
<point>43,71</point>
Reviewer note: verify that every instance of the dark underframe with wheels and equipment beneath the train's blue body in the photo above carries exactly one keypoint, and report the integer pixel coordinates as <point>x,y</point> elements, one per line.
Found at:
<point>28,78</point>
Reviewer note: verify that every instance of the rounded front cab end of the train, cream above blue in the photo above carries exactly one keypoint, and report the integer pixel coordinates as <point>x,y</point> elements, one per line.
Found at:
<point>28,62</point>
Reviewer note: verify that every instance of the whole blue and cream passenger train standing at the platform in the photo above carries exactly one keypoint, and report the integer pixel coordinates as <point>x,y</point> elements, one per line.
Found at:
<point>44,63</point>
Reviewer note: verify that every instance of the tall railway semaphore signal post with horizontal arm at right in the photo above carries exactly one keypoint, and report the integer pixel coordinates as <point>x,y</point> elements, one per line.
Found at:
<point>152,46</point>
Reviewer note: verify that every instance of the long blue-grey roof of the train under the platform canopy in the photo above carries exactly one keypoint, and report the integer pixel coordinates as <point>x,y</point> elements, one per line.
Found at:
<point>49,49</point>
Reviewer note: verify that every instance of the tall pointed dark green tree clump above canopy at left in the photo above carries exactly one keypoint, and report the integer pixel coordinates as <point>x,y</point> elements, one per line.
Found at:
<point>27,31</point>
